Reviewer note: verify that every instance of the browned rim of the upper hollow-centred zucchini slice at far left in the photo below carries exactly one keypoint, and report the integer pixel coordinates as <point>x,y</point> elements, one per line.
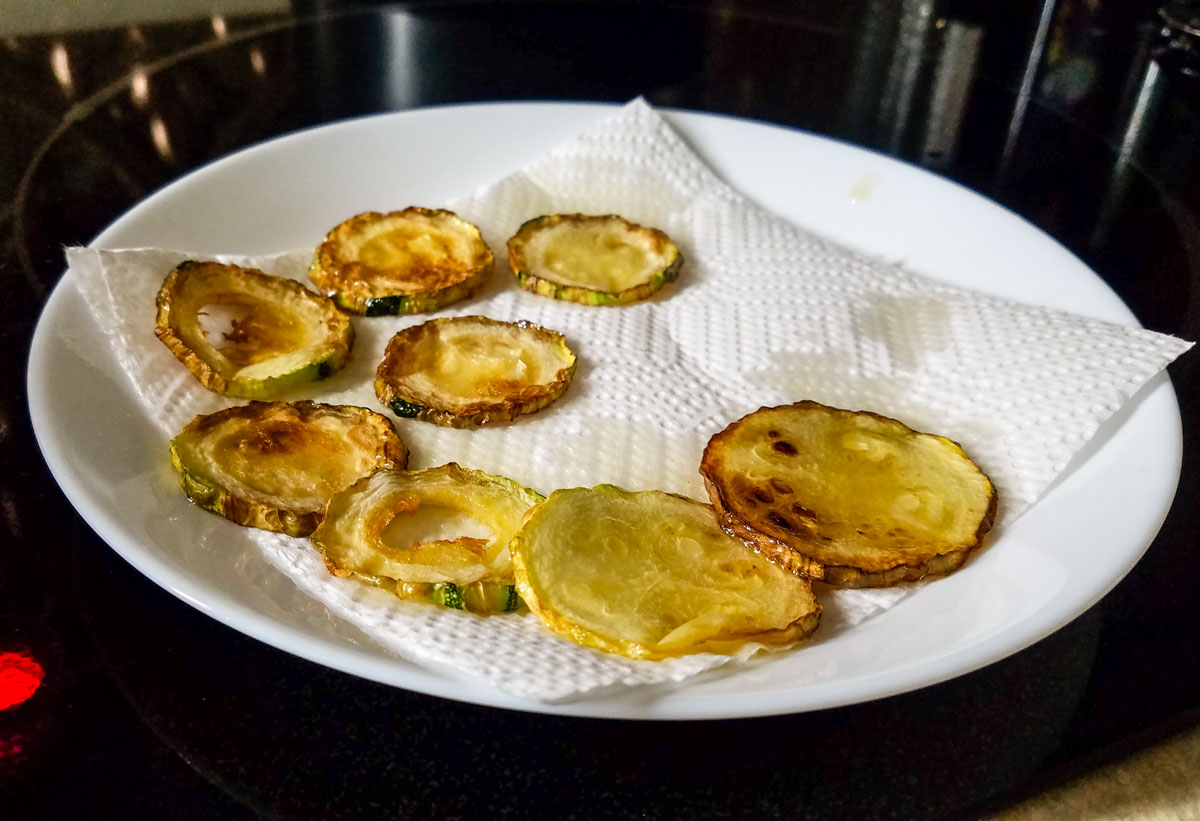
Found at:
<point>167,325</point>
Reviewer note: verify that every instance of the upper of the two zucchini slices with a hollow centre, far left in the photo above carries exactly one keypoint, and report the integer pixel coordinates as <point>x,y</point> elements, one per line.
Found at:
<point>245,334</point>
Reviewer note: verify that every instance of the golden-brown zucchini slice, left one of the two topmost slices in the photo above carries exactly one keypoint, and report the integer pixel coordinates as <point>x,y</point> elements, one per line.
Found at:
<point>403,262</point>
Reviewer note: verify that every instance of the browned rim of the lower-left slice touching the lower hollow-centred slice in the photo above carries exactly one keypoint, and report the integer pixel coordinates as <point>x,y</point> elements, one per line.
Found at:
<point>370,428</point>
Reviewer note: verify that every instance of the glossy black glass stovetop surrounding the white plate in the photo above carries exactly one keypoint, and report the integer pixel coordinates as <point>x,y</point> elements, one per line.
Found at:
<point>1084,118</point>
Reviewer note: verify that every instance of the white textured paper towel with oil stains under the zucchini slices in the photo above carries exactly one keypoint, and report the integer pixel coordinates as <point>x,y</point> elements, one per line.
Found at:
<point>765,314</point>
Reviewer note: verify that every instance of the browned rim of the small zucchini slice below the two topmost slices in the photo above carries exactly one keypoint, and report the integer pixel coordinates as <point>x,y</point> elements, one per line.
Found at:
<point>512,401</point>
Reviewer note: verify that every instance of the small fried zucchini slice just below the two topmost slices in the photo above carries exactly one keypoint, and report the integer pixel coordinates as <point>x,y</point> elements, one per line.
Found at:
<point>470,371</point>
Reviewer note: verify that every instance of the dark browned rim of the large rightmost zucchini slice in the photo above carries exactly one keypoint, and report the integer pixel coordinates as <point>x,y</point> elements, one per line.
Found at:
<point>797,554</point>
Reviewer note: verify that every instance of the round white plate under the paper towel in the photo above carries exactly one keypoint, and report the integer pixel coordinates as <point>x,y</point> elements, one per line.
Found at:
<point>1043,571</point>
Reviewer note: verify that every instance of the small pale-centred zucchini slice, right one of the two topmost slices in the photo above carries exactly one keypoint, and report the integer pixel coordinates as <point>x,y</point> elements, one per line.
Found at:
<point>592,260</point>
